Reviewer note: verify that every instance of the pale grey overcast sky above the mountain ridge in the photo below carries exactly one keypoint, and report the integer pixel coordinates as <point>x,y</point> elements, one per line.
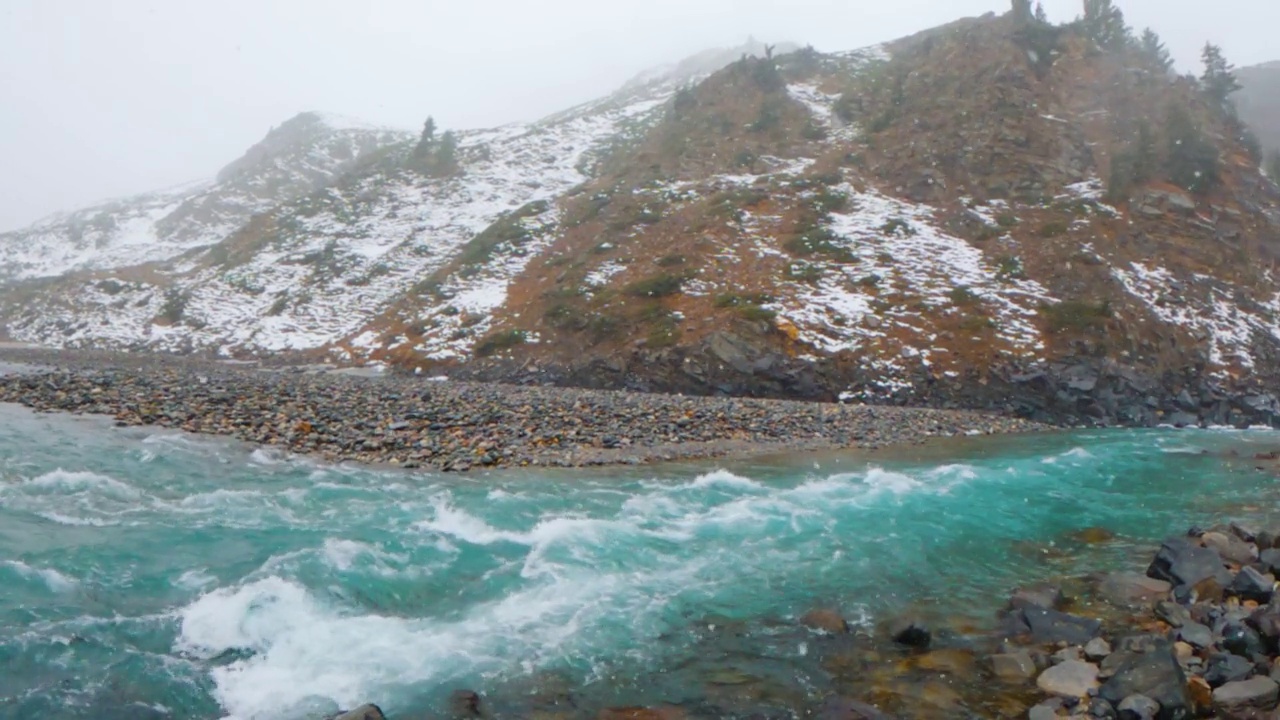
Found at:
<point>100,99</point>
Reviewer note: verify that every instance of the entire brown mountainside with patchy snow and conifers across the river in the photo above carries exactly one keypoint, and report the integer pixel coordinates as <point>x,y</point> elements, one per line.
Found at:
<point>999,213</point>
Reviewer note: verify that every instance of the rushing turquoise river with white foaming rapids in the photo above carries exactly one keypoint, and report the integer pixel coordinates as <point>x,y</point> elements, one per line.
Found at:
<point>152,575</point>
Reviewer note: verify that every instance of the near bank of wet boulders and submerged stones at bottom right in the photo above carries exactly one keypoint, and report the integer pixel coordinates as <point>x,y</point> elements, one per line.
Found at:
<point>1196,635</point>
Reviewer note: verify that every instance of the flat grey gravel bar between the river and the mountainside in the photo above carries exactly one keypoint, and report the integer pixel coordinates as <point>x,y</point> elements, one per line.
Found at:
<point>455,427</point>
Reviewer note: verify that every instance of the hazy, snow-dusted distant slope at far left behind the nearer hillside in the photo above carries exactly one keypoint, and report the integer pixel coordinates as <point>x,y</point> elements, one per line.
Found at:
<point>296,158</point>
